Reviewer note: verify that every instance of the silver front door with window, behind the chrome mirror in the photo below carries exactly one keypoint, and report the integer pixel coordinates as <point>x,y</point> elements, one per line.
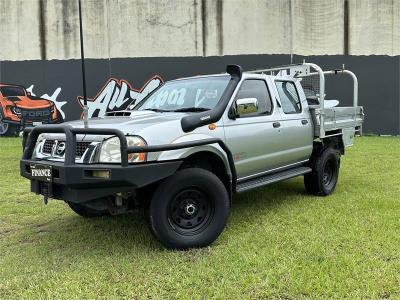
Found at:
<point>253,140</point>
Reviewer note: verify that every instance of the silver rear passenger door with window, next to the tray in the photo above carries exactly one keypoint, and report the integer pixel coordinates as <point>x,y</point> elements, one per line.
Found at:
<point>296,125</point>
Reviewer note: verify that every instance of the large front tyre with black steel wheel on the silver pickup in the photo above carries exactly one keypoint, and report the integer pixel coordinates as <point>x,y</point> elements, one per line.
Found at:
<point>189,209</point>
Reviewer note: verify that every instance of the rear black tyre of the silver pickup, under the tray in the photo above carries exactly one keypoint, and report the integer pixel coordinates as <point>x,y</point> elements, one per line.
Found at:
<point>325,172</point>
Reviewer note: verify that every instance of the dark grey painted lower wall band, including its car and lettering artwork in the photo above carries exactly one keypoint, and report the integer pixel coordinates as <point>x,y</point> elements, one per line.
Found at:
<point>50,91</point>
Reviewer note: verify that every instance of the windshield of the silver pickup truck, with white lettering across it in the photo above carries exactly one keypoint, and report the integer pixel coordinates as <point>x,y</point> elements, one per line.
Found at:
<point>194,94</point>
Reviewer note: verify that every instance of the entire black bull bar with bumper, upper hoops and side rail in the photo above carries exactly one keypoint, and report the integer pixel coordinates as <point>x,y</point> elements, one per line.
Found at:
<point>75,182</point>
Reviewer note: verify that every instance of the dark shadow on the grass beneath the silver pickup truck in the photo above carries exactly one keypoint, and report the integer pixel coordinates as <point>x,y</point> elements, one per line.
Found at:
<point>72,235</point>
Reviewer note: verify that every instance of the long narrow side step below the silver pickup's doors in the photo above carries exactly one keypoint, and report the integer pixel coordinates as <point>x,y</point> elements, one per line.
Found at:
<point>271,178</point>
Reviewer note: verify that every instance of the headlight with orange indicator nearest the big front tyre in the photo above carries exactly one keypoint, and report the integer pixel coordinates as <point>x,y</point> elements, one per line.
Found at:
<point>110,151</point>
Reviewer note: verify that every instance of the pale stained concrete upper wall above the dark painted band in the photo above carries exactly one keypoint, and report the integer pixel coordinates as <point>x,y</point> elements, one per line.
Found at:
<point>49,29</point>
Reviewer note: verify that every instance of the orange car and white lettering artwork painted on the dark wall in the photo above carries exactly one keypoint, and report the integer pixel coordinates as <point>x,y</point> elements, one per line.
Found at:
<point>20,107</point>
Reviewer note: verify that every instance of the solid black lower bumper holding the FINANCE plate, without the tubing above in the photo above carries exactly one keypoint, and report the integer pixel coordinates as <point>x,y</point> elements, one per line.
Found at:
<point>75,183</point>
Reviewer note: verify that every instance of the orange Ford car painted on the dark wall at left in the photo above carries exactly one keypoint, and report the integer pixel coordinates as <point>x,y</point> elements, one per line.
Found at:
<point>18,108</point>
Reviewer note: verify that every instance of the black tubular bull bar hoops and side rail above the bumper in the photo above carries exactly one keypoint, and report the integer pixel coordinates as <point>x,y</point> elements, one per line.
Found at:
<point>31,135</point>
